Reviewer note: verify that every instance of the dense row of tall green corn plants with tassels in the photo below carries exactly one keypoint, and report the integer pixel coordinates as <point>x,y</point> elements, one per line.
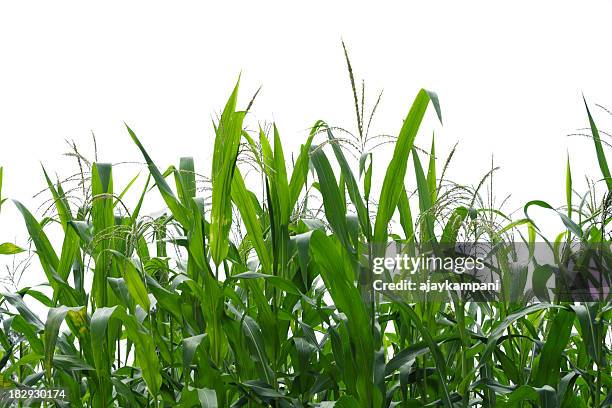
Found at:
<point>262,298</point>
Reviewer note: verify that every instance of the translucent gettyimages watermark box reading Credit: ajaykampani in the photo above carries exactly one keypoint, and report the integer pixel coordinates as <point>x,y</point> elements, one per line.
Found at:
<point>482,272</point>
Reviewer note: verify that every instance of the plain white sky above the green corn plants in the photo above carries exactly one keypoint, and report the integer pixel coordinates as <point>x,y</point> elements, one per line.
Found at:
<point>509,77</point>
